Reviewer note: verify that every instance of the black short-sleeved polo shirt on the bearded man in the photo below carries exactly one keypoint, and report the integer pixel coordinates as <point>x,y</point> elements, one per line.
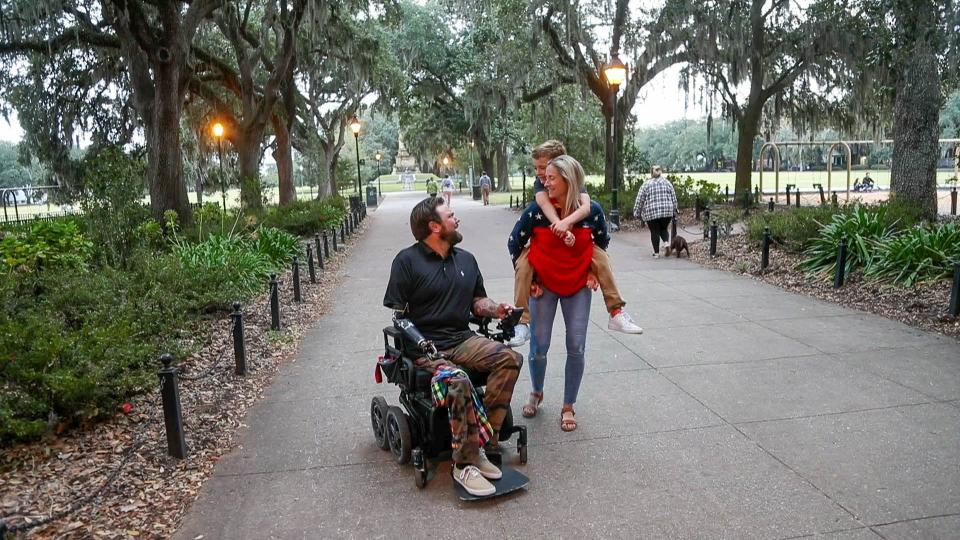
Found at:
<point>436,293</point>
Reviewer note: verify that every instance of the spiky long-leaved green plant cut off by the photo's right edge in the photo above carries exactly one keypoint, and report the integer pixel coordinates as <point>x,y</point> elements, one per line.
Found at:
<point>917,255</point>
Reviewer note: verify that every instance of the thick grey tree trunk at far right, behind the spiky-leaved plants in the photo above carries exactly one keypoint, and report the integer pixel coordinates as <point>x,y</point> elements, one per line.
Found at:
<point>916,114</point>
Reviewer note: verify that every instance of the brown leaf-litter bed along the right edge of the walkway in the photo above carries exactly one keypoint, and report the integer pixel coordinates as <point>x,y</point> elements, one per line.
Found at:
<point>923,306</point>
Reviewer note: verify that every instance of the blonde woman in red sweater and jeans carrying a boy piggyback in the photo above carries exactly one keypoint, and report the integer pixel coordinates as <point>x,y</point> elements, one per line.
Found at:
<point>562,266</point>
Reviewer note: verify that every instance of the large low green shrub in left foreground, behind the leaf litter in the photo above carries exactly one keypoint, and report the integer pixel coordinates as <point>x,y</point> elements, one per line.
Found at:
<point>73,346</point>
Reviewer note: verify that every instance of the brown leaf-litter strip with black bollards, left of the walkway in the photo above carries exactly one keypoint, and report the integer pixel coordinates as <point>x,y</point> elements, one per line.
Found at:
<point>145,493</point>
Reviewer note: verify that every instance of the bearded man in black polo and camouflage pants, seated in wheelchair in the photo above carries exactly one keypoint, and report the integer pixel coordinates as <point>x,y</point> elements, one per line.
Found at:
<point>437,286</point>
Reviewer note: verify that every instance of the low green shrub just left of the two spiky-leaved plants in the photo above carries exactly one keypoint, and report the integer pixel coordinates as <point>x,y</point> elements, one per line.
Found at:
<point>794,229</point>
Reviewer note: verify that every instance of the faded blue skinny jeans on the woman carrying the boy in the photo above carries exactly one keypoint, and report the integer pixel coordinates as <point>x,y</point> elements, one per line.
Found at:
<point>576,317</point>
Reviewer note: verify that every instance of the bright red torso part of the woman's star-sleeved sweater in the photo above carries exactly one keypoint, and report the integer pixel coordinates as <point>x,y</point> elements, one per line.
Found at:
<point>561,269</point>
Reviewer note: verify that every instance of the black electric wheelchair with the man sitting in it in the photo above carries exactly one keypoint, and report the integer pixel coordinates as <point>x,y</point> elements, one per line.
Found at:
<point>422,432</point>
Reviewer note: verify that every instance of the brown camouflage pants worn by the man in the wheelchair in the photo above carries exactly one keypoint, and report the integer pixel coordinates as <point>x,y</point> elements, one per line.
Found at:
<point>480,355</point>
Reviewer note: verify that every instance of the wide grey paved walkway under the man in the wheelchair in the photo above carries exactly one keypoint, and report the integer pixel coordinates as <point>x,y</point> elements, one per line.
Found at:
<point>742,412</point>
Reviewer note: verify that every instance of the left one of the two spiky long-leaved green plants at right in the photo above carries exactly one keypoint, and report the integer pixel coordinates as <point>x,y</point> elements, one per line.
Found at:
<point>863,229</point>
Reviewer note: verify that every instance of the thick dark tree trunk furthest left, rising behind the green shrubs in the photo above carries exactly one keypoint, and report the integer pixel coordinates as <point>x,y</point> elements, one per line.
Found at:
<point>167,190</point>
